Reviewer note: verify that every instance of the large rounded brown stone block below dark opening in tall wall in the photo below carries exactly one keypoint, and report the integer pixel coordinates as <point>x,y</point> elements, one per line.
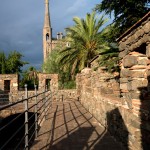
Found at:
<point>129,61</point>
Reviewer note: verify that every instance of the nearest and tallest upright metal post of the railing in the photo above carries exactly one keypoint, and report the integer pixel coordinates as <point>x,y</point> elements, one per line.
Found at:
<point>26,119</point>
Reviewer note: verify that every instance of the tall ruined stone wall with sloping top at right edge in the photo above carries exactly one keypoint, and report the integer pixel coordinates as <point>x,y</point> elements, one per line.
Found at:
<point>135,76</point>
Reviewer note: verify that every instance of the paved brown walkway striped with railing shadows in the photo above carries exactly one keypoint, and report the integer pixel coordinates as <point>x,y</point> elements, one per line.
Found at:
<point>69,126</point>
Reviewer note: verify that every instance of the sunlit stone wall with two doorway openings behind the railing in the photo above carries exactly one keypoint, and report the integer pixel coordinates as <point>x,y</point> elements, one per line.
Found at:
<point>15,94</point>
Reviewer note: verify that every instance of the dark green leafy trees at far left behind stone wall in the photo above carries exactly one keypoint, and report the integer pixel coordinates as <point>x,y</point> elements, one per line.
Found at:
<point>12,63</point>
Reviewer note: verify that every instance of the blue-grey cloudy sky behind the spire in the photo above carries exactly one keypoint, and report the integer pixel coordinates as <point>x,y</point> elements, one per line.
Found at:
<point>21,24</point>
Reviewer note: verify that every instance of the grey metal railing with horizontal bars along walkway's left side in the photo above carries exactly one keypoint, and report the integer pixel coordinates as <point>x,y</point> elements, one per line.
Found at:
<point>38,105</point>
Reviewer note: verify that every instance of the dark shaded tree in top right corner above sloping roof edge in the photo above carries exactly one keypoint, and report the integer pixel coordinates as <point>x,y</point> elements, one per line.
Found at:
<point>126,13</point>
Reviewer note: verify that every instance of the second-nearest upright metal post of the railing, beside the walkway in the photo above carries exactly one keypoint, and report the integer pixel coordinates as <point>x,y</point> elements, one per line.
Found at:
<point>36,120</point>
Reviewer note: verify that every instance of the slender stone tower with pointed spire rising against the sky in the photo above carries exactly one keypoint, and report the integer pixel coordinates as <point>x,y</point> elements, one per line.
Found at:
<point>47,32</point>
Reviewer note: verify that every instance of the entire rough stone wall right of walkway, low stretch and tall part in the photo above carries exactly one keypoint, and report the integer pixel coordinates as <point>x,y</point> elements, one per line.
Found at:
<point>126,117</point>
